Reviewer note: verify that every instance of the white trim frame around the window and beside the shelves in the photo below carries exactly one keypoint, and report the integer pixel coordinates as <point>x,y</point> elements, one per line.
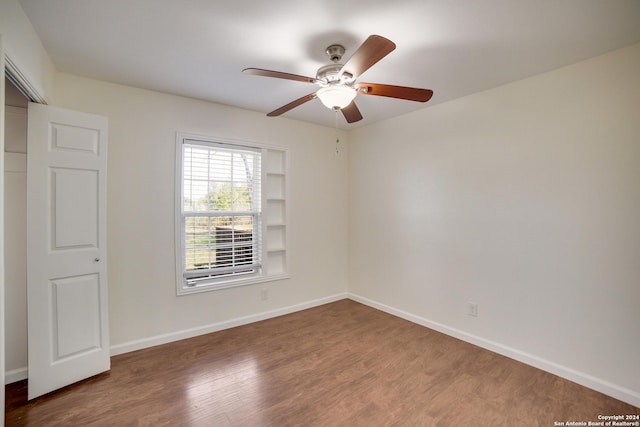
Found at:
<point>262,274</point>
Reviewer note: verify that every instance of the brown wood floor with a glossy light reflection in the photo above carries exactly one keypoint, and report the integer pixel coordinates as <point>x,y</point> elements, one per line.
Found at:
<point>341,364</point>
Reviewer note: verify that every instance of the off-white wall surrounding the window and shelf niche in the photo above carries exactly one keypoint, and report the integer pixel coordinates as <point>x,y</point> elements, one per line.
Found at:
<point>141,162</point>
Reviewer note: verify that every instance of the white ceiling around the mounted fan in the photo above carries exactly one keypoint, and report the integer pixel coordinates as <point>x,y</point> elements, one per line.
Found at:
<point>198,48</point>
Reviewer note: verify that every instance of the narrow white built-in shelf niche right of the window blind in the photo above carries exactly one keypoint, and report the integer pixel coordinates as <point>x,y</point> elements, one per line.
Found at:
<point>275,214</point>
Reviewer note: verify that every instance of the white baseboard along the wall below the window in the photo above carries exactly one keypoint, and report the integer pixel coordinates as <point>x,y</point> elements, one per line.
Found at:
<point>214,327</point>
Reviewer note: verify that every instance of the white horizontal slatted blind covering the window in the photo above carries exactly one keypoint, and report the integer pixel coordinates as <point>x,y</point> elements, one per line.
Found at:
<point>221,212</point>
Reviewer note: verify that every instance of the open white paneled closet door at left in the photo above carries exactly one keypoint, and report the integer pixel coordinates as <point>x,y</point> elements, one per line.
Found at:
<point>66,247</point>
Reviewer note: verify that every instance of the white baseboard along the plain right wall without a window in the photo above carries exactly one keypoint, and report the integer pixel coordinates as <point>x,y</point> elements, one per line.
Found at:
<point>629,396</point>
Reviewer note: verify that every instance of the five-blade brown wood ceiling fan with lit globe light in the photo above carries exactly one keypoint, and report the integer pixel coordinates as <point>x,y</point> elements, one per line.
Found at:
<point>338,86</point>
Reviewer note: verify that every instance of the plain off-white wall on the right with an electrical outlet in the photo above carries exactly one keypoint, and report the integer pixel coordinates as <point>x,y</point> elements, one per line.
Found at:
<point>524,199</point>
